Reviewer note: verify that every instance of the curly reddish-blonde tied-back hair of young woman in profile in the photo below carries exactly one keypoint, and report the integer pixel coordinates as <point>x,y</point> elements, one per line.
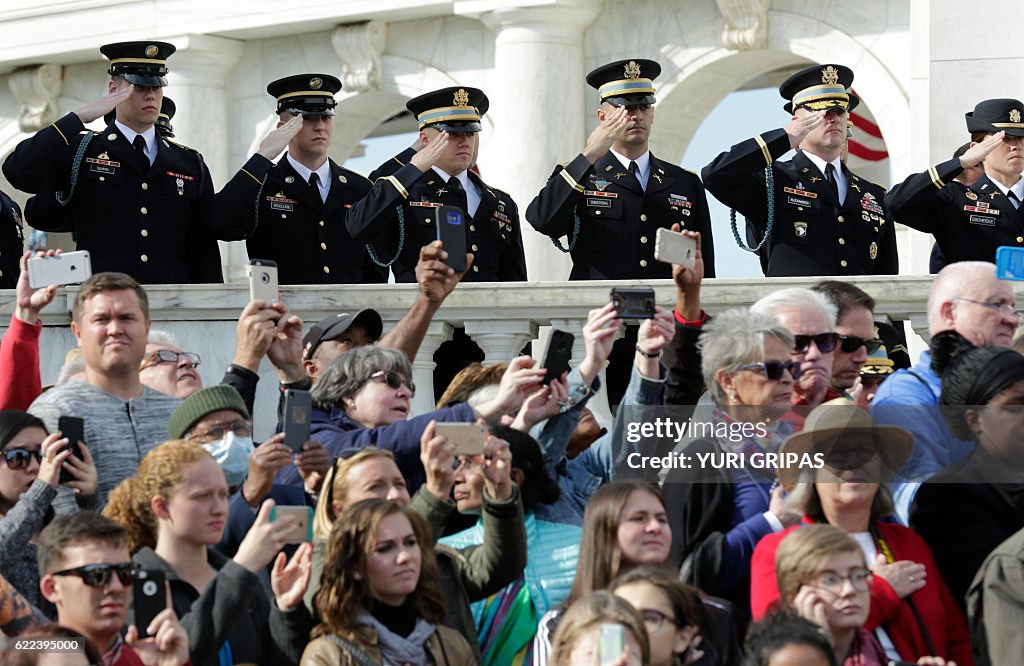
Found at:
<point>162,472</point>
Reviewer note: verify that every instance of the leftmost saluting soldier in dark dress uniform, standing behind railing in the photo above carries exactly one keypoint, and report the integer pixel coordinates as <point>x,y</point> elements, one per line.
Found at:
<point>138,202</point>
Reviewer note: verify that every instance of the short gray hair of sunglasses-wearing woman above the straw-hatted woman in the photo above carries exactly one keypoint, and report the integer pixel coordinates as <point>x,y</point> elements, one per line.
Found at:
<point>735,339</point>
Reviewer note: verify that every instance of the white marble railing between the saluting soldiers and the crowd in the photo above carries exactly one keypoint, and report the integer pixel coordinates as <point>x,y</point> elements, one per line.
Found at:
<point>501,319</point>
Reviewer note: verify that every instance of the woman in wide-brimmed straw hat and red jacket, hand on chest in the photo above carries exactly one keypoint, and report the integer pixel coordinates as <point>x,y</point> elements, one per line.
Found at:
<point>913,613</point>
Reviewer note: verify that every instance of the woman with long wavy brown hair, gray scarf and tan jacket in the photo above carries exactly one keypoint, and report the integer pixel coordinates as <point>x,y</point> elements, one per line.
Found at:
<point>379,601</point>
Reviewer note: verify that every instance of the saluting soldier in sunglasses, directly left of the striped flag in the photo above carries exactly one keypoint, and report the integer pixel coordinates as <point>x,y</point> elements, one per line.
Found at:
<point>820,218</point>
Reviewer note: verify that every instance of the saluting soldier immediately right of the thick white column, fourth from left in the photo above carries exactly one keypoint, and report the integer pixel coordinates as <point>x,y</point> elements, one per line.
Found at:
<point>611,199</point>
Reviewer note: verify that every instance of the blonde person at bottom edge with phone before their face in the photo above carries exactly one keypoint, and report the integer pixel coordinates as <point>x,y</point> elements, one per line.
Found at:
<point>579,638</point>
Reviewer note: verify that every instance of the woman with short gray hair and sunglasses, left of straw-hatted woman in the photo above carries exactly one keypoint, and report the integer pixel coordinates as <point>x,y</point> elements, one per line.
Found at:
<point>717,514</point>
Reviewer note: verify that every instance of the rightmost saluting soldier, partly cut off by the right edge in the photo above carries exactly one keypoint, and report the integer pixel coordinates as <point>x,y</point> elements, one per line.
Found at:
<point>970,222</point>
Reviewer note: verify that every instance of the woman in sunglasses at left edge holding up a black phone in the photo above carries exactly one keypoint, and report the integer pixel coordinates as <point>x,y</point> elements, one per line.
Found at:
<point>31,467</point>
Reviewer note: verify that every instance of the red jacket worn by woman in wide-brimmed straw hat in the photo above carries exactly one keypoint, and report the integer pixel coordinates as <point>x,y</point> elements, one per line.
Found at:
<point>940,613</point>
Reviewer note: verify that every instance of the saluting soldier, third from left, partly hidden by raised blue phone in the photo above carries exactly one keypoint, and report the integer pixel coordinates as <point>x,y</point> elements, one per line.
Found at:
<point>397,219</point>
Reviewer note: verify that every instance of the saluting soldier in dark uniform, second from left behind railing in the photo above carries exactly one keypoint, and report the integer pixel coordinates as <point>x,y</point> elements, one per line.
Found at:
<point>294,212</point>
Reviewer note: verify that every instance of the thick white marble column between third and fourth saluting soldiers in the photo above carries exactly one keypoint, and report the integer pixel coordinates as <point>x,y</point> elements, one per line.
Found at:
<point>538,114</point>
